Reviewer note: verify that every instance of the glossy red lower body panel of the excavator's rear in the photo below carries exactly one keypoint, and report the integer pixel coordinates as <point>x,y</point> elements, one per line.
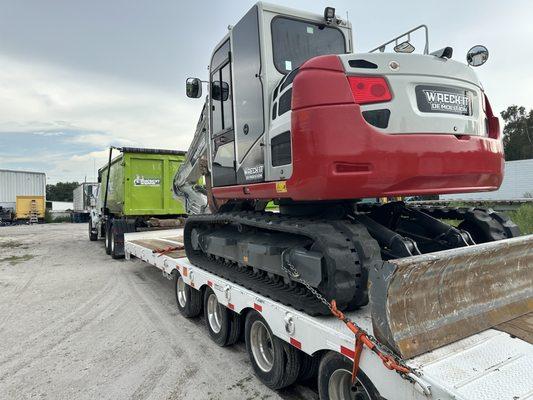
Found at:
<point>337,154</point>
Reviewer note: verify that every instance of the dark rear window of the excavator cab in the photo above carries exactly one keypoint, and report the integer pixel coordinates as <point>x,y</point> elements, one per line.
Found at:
<point>295,41</point>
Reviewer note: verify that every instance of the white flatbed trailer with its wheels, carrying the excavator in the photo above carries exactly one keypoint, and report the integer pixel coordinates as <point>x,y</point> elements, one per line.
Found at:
<point>285,345</point>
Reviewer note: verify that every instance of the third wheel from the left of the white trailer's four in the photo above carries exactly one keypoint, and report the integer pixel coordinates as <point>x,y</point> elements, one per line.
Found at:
<point>275,362</point>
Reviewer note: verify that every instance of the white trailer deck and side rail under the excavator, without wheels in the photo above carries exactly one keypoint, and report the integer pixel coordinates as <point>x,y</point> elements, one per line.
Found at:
<point>490,365</point>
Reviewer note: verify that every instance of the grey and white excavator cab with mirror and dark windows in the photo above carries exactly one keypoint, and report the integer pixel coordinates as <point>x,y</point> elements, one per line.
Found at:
<point>246,66</point>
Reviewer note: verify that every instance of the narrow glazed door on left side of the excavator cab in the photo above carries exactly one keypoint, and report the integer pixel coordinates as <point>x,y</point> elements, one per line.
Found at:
<point>222,132</point>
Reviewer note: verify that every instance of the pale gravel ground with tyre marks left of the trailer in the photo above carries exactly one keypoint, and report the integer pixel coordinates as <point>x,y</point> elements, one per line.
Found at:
<point>75,324</point>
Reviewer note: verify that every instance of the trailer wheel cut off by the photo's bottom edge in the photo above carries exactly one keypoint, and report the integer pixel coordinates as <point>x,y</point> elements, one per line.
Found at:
<point>335,380</point>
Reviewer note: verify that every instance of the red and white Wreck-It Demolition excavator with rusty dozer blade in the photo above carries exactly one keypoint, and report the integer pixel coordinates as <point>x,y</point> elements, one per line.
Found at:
<point>294,116</point>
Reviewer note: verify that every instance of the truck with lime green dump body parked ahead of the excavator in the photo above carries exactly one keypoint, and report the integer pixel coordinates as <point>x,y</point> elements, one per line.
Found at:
<point>135,195</point>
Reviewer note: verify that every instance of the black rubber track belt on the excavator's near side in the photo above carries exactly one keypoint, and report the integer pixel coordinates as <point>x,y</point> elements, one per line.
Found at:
<point>335,240</point>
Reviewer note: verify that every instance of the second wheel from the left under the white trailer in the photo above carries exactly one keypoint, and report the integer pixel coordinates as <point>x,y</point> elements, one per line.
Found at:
<point>223,325</point>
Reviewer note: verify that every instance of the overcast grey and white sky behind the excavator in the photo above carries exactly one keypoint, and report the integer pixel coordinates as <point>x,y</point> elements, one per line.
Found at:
<point>77,76</point>
